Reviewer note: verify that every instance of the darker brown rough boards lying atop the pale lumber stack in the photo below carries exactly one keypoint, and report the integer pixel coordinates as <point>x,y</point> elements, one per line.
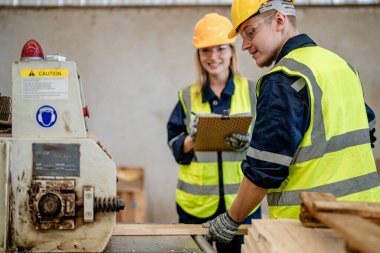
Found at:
<point>357,222</point>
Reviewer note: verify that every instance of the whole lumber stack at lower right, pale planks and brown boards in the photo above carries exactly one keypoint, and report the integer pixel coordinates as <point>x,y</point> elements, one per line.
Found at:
<point>326,225</point>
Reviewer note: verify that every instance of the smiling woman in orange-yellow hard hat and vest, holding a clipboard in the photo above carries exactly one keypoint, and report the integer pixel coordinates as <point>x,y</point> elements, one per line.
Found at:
<point>208,182</point>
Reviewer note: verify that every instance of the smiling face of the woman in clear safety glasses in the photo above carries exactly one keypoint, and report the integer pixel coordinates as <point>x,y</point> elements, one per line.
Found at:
<point>216,59</point>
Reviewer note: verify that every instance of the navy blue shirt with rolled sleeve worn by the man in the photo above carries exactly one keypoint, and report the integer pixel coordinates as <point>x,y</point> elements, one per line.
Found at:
<point>281,122</point>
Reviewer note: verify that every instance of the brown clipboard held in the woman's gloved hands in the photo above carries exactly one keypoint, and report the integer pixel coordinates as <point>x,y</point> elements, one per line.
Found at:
<point>212,130</point>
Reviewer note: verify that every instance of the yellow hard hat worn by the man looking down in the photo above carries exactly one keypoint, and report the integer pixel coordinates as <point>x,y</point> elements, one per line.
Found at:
<point>241,10</point>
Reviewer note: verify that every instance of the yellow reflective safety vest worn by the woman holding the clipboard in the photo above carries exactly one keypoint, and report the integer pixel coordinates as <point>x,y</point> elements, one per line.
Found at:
<point>198,183</point>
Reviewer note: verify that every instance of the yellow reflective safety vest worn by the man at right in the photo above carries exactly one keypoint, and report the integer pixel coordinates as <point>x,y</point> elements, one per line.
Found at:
<point>334,155</point>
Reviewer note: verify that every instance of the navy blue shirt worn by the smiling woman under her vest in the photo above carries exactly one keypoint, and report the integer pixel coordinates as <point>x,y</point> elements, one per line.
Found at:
<point>176,126</point>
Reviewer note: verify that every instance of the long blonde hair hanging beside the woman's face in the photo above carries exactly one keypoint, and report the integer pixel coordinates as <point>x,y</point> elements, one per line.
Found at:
<point>202,74</point>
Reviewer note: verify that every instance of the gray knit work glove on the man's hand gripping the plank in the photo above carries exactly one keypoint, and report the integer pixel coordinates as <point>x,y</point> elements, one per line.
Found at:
<point>221,229</point>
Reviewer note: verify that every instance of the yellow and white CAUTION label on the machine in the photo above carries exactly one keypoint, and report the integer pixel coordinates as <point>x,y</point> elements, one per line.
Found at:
<point>45,83</point>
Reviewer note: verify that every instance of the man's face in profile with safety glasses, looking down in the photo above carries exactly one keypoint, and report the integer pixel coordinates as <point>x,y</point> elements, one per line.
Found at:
<point>261,38</point>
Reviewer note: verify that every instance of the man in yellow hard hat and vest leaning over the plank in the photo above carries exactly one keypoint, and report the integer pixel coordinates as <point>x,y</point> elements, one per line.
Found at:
<point>313,131</point>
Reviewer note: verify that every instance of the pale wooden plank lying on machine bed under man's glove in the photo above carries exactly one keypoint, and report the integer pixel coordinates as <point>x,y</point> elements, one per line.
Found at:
<point>166,229</point>
